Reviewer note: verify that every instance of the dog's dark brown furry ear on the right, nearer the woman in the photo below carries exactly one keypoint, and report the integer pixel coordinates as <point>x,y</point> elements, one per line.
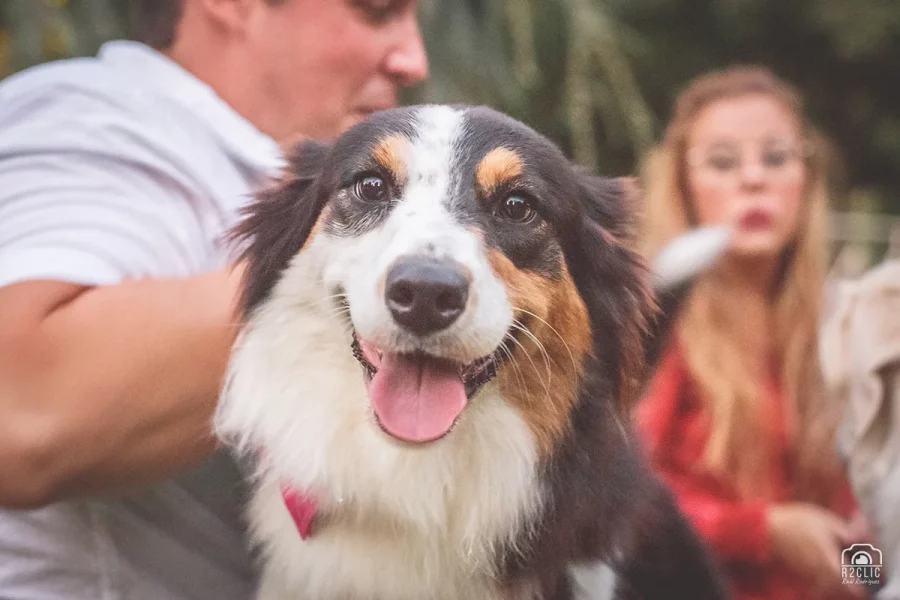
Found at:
<point>614,281</point>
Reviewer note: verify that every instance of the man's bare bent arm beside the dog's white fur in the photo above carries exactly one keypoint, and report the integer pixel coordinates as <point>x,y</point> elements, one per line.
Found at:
<point>104,388</point>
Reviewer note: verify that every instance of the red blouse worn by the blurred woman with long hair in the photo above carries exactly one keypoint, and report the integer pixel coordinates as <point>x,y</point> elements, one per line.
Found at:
<point>674,430</point>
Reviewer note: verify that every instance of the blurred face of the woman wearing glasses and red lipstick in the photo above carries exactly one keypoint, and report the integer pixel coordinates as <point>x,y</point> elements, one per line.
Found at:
<point>745,168</point>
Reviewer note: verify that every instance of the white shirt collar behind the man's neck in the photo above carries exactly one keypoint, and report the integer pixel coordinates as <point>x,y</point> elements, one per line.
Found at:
<point>241,139</point>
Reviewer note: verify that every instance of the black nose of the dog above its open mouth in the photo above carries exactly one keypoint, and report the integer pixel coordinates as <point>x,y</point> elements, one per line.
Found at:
<point>426,295</point>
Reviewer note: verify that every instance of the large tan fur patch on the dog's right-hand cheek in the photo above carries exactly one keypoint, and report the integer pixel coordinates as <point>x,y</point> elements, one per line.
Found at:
<point>544,387</point>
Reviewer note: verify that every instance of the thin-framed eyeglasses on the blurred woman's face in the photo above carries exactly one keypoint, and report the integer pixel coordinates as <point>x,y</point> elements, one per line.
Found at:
<point>728,159</point>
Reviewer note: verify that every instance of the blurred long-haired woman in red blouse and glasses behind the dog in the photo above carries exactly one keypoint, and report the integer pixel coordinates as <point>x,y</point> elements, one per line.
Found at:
<point>735,420</point>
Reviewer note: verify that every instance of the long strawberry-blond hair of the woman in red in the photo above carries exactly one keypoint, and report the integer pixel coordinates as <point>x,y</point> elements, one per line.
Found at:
<point>710,331</point>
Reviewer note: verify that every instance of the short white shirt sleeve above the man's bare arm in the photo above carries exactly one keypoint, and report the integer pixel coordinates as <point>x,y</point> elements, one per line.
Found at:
<point>84,199</point>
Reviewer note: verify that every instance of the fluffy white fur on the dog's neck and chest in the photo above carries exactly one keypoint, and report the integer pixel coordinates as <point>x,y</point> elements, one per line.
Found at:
<point>411,523</point>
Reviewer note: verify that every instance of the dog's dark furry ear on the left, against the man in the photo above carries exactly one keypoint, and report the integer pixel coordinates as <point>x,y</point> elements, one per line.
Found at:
<point>277,223</point>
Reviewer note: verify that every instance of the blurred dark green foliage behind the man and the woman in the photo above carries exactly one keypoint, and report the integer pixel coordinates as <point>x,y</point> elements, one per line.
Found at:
<point>599,76</point>
